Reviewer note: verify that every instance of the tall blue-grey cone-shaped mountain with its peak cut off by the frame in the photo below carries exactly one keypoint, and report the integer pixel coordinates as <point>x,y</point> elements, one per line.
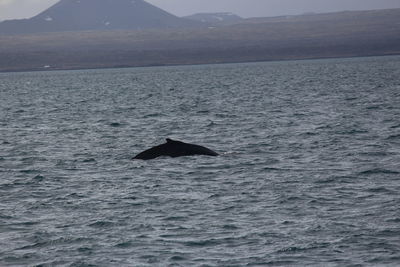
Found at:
<point>84,15</point>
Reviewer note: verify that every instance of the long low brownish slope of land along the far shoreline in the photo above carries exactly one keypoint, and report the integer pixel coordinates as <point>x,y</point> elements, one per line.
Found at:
<point>342,34</point>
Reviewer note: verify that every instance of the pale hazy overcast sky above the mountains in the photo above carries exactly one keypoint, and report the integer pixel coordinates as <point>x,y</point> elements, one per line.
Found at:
<point>246,8</point>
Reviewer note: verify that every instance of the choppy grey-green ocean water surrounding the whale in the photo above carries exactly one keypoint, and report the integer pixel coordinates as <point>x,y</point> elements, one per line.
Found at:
<point>309,172</point>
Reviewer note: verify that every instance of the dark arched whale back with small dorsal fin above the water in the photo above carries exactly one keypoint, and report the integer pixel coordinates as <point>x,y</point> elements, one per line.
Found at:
<point>175,149</point>
